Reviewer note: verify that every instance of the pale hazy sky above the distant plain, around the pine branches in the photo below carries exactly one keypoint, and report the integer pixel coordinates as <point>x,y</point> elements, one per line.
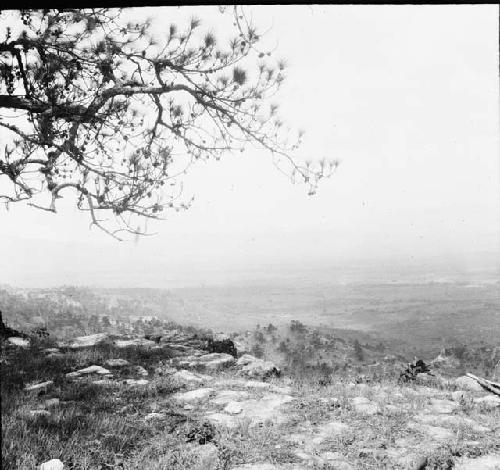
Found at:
<point>406,97</point>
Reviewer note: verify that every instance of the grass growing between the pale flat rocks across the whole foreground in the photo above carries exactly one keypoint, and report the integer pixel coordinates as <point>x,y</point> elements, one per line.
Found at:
<point>104,427</point>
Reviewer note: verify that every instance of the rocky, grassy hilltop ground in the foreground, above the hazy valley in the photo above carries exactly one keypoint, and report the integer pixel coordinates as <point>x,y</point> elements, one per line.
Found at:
<point>183,401</point>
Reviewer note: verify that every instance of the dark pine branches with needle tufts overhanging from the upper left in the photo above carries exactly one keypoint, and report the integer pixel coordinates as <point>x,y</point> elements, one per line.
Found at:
<point>105,108</point>
